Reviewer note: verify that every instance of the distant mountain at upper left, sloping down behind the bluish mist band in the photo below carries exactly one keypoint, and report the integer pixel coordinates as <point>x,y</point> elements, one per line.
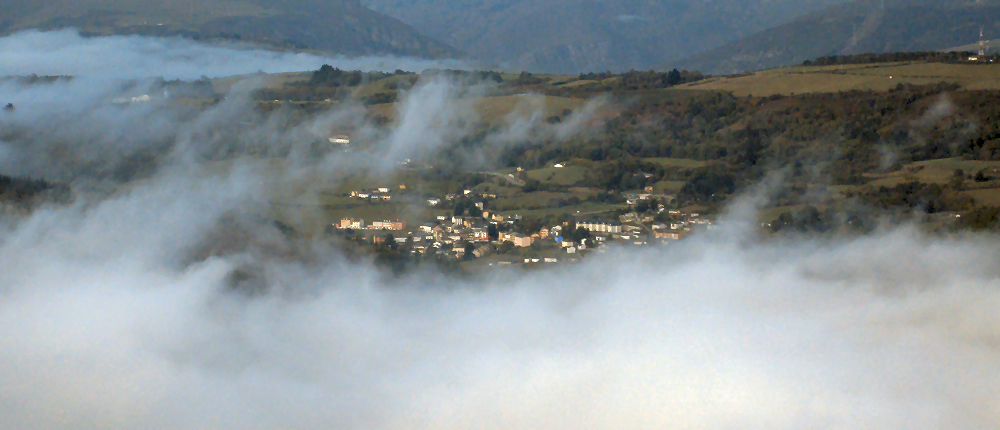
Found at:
<point>336,26</point>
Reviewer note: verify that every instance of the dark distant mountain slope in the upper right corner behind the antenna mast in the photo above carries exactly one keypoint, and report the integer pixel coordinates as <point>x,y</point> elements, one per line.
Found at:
<point>858,27</point>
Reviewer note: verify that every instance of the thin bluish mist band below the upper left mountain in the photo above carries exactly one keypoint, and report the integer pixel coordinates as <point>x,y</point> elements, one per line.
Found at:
<point>65,52</point>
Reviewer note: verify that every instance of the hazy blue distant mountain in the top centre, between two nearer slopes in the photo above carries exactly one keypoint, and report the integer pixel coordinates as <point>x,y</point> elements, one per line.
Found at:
<point>571,36</point>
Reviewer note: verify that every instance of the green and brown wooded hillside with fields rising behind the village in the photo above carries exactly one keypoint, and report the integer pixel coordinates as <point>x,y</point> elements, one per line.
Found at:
<point>858,144</point>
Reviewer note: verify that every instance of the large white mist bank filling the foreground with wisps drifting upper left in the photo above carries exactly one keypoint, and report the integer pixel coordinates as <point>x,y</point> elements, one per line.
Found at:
<point>112,314</point>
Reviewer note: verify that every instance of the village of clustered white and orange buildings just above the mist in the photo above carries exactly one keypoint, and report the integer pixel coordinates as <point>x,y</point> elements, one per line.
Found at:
<point>508,238</point>
